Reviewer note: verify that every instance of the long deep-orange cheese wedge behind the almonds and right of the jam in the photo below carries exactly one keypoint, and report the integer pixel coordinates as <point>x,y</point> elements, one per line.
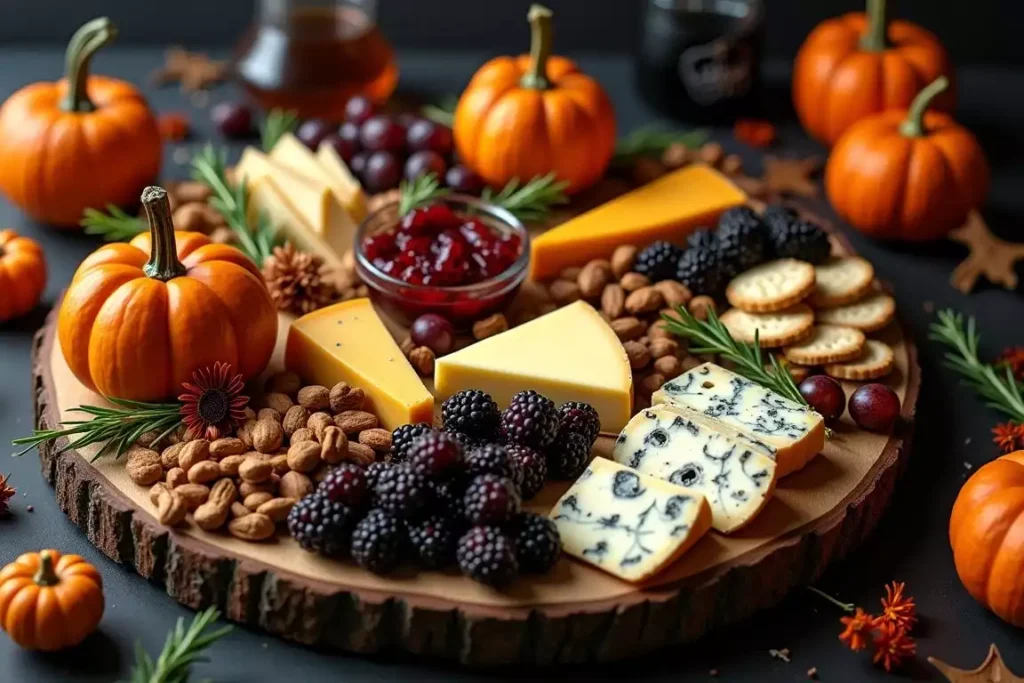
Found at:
<point>665,209</point>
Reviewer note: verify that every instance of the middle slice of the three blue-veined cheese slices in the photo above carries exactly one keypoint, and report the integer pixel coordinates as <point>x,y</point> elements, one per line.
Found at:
<point>735,473</point>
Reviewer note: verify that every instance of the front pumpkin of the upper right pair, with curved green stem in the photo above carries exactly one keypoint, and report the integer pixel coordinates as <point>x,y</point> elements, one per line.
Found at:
<point>908,175</point>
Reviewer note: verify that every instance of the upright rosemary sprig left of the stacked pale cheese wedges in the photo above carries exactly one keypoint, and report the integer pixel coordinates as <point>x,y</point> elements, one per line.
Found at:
<point>209,167</point>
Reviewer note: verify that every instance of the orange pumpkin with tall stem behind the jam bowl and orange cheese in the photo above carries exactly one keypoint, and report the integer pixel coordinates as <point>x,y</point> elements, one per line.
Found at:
<point>532,115</point>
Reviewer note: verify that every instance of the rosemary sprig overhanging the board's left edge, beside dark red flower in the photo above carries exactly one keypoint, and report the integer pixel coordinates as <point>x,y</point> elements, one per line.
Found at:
<point>116,429</point>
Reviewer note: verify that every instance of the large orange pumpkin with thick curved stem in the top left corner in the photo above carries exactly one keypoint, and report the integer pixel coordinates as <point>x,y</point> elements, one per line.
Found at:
<point>82,142</point>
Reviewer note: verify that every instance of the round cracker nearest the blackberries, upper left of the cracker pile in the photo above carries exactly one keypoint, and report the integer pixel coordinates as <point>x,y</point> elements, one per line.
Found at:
<point>773,286</point>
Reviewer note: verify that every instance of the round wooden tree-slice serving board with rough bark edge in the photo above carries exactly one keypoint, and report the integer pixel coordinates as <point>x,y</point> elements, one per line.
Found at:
<point>574,615</point>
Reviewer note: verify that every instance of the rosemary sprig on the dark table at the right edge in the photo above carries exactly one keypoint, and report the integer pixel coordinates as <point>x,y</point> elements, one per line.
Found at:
<point>1000,391</point>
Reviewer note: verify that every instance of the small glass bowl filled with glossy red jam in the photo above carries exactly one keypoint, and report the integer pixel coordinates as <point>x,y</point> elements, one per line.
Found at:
<point>458,257</point>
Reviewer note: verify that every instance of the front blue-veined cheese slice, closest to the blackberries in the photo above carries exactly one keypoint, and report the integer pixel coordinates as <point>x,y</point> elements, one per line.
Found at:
<point>630,525</point>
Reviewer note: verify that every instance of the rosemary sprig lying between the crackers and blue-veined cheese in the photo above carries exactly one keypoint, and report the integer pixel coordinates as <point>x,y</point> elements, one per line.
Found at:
<point>712,337</point>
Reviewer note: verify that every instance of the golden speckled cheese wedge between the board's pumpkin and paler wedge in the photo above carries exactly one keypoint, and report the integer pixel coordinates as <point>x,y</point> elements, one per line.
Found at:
<point>348,343</point>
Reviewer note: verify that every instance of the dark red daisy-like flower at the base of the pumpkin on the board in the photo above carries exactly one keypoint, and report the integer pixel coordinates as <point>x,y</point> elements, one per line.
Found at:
<point>214,404</point>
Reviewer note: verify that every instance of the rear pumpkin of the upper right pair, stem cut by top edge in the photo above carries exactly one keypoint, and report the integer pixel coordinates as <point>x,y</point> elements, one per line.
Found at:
<point>860,64</point>
